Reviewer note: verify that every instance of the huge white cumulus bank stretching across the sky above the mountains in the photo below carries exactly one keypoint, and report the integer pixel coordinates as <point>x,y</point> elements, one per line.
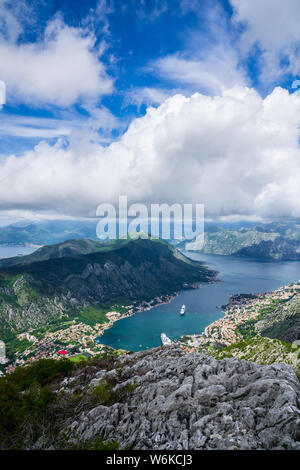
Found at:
<point>237,153</point>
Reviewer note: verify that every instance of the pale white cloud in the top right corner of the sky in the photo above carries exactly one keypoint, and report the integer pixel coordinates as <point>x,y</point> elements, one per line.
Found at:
<point>273,26</point>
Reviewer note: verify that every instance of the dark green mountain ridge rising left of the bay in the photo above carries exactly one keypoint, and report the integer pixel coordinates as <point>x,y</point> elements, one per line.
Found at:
<point>37,293</point>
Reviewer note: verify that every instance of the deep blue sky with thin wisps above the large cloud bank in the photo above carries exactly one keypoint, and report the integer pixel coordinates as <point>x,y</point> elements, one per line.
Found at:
<point>135,36</point>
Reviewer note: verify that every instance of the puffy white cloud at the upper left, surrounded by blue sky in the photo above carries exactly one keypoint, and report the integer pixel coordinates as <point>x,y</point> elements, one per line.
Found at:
<point>62,69</point>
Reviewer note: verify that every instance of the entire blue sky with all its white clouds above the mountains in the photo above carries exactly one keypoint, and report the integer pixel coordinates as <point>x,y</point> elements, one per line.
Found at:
<point>165,101</point>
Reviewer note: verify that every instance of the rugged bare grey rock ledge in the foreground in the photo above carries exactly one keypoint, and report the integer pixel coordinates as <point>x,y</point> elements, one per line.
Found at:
<point>192,401</point>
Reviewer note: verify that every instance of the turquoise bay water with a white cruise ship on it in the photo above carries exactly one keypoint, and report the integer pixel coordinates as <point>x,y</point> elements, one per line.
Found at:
<point>239,275</point>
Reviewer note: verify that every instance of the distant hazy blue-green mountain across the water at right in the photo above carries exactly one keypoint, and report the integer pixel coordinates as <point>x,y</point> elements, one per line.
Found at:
<point>269,241</point>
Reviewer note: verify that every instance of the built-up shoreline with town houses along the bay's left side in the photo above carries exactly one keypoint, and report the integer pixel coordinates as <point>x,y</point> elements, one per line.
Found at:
<point>75,336</point>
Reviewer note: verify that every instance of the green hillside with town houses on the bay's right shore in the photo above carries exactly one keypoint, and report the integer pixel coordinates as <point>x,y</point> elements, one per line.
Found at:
<point>258,328</point>
